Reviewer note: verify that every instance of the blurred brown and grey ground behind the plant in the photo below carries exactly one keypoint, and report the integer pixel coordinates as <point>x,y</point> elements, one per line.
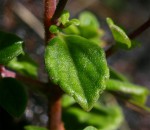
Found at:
<point>25,18</point>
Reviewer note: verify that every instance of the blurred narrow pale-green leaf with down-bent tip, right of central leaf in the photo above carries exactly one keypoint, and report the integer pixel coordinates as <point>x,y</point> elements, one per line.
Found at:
<point>137,93</point>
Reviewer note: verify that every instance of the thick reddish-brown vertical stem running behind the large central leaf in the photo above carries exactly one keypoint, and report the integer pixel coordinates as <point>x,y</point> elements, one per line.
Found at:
<point>51,16</point>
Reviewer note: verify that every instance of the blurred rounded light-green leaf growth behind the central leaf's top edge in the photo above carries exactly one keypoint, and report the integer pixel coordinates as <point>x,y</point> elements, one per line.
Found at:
<point>88,27</point>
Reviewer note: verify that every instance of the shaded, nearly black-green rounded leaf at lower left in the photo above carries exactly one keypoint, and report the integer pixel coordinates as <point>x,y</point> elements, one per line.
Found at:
<point>13,96</point>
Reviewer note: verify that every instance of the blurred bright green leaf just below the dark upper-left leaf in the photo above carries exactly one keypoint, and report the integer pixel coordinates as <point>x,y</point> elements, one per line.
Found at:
<point>24,65</point>
